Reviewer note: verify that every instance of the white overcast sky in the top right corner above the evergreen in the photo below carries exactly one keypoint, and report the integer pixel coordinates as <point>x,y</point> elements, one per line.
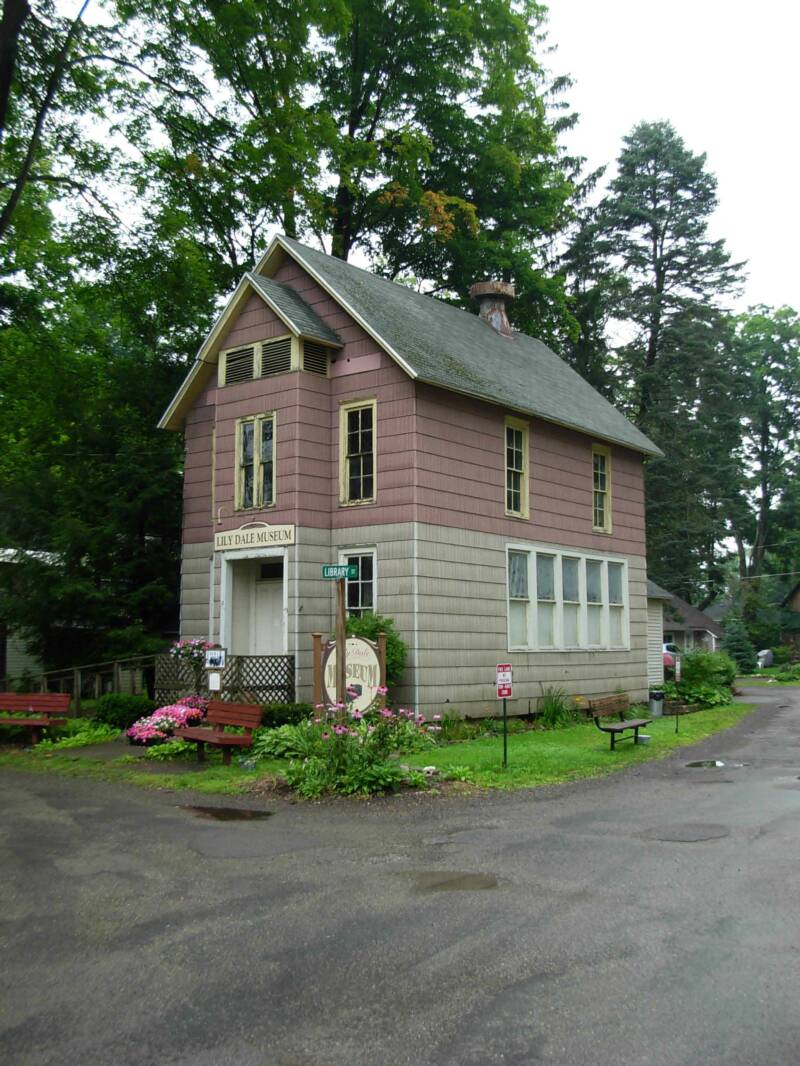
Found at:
<point>727,75</point>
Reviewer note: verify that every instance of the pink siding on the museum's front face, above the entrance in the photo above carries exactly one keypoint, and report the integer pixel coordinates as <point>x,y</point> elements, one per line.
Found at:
<point>307,410</point>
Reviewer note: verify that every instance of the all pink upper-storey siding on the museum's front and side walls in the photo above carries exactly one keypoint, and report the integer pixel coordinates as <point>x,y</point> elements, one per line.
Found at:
<point>441,457</point>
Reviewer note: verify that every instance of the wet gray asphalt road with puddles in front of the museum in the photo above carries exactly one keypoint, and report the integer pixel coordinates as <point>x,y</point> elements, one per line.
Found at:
<point>650,918</point>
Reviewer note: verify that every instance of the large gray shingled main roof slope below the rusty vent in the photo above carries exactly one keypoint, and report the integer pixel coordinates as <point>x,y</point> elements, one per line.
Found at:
<point>456,350</point>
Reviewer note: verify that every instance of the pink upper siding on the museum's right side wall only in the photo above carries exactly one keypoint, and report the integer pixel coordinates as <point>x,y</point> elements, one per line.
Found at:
<point>461,478</point>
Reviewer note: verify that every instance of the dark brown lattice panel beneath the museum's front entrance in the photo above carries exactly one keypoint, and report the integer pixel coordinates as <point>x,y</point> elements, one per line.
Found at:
<point>247,680</point>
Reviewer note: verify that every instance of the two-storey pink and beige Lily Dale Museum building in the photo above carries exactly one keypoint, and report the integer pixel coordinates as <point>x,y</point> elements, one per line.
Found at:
<point>492,500</point>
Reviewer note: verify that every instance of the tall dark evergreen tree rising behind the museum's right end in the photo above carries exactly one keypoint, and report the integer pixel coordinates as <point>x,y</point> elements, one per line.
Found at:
<point>654,274</point>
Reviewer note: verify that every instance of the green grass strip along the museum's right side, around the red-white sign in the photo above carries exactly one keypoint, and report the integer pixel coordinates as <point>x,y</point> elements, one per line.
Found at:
<point>550,757</point>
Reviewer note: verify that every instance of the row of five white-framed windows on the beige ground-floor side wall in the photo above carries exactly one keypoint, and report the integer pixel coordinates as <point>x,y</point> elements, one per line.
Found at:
<point>564,601</point>
